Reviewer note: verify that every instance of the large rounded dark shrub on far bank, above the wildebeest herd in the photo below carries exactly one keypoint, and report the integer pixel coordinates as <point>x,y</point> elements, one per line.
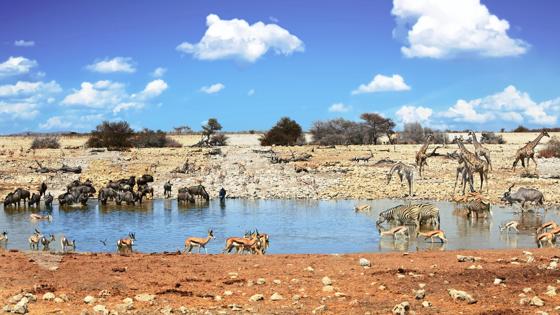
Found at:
<point>112,135</point>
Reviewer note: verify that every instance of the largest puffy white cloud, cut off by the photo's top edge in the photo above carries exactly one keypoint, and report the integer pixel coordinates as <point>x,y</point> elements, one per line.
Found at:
<point>443,29</point>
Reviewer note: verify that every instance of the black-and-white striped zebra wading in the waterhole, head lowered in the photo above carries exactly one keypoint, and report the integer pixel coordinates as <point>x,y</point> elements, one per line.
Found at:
<point>416,213</point>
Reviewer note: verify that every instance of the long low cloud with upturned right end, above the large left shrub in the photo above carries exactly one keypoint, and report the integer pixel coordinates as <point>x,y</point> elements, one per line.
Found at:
<point>113,95</point>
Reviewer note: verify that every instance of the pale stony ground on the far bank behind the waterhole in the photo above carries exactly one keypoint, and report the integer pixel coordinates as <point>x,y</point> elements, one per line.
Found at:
<point>246,173</point>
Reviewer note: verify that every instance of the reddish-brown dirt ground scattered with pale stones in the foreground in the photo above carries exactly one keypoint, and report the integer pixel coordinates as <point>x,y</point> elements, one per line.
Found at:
<point>224,284</point>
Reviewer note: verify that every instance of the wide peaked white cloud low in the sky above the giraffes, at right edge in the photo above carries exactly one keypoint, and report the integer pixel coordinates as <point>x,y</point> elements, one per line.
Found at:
<point>509,105</point>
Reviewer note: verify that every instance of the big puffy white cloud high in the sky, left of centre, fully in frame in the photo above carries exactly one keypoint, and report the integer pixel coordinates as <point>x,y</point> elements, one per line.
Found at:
<point>237,39</point>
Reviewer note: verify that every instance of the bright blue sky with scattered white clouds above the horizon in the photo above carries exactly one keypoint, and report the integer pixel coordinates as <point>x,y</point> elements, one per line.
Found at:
<point>67,65</point>
